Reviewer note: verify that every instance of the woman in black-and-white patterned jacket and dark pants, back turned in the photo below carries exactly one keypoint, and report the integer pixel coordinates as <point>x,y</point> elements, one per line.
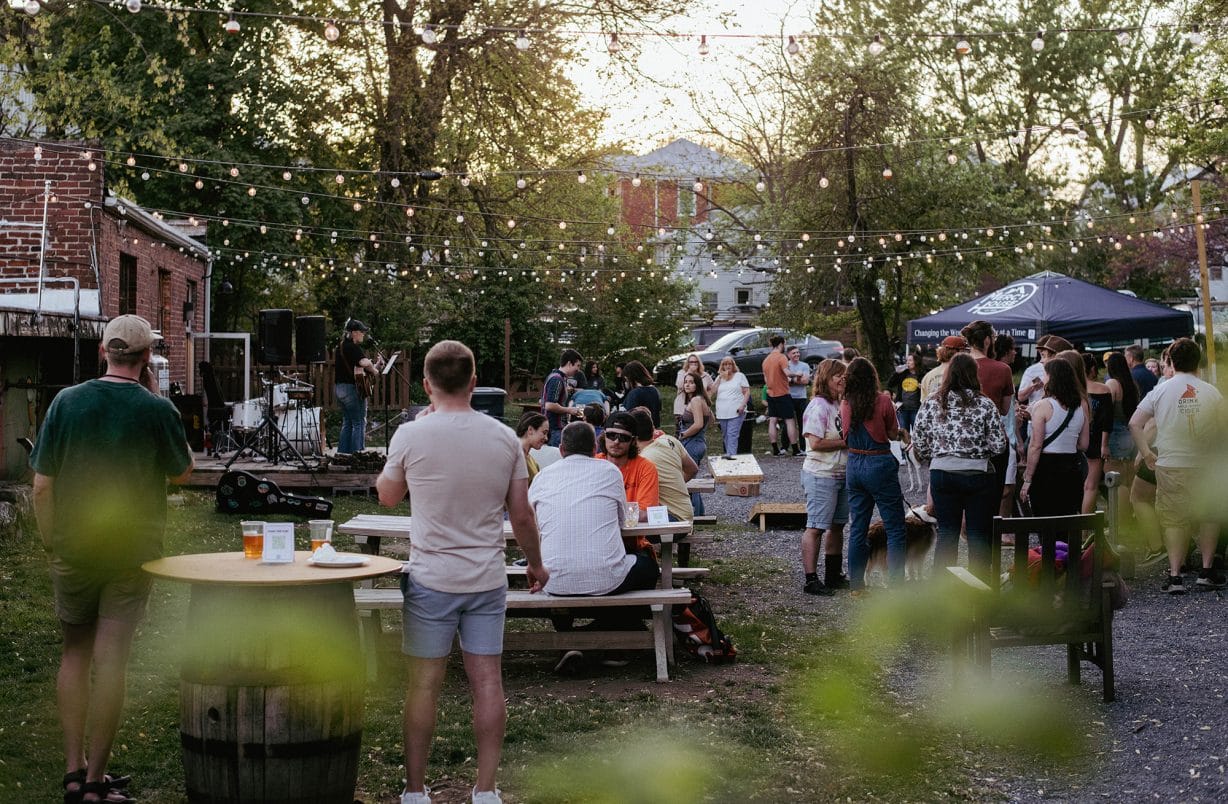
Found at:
<point>958,431</point>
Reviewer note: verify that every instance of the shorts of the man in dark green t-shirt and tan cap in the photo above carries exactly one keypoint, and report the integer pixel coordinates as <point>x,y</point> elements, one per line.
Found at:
<point>84,596</point>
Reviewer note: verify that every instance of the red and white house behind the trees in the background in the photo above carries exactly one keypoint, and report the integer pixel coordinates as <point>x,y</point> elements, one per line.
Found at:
<point>659,192</point>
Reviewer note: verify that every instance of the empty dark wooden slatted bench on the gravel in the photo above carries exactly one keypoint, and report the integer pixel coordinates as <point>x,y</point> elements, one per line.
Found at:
<point>1042,605</point>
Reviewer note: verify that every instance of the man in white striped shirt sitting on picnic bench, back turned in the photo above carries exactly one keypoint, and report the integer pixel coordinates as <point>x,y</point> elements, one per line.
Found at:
<point>579,504</point>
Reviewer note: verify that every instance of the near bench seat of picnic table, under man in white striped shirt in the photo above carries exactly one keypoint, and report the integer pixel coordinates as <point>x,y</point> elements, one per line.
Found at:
<point>660,639</point>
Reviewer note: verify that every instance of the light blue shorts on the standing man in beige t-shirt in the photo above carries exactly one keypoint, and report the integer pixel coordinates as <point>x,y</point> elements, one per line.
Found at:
<point>432,619</point>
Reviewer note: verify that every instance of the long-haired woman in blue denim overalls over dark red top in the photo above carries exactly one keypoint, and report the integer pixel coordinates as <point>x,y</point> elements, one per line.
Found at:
<point>874,476</point>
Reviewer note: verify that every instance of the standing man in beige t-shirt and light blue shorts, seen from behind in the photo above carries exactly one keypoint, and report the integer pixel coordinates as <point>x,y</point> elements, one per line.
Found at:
<point>461,470</point>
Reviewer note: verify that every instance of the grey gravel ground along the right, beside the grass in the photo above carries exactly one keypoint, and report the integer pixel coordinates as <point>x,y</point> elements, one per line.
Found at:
<point>1166,737</point>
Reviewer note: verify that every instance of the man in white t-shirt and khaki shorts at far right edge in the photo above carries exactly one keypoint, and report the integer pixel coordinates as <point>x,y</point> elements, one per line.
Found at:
<point>1191,416</point>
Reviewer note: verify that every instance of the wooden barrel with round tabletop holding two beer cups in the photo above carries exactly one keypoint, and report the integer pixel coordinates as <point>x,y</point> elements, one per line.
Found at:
<point>272,686</point>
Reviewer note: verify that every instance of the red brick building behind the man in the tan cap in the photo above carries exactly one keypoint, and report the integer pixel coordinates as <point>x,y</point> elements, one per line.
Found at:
<point>101,257</point>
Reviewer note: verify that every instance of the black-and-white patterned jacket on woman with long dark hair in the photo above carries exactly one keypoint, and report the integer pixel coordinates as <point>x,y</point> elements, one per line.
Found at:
<point>965,431</point>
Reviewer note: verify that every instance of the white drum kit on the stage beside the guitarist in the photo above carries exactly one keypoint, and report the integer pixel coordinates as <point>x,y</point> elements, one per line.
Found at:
<point>282,424</point>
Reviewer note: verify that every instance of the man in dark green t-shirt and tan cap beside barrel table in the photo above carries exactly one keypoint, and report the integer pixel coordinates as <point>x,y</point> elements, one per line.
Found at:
<point>101,466</point>
